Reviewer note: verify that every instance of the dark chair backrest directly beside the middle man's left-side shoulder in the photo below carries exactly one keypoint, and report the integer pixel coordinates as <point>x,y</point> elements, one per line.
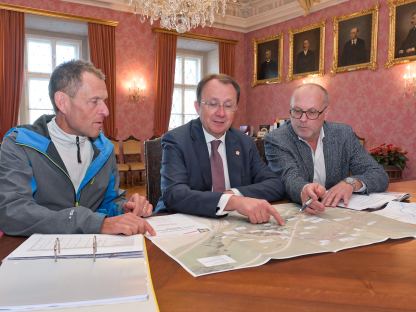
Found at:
<point>153,163</point>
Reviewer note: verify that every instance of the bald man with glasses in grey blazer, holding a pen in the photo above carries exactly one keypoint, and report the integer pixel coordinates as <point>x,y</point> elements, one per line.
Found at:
<point>320,160</point>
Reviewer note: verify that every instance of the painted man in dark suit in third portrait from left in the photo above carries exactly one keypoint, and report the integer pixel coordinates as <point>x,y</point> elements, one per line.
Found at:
<point>354,51</point>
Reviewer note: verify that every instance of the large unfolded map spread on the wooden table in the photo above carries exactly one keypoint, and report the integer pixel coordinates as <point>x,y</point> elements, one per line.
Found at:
<point>233,243</point>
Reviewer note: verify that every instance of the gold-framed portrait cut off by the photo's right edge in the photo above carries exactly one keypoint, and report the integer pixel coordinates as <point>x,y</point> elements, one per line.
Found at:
<point>400,15</point>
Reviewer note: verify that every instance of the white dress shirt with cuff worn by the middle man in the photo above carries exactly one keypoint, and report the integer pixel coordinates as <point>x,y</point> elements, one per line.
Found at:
<point>223,153</point>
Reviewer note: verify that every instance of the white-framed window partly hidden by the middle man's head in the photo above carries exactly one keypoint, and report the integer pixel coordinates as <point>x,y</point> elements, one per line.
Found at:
<point>188,72</point>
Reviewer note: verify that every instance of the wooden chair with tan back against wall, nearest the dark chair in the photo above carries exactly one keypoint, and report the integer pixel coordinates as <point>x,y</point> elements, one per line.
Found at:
<point>132,154</point>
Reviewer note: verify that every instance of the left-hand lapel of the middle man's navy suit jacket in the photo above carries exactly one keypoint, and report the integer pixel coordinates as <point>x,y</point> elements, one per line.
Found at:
<point>200,149</point>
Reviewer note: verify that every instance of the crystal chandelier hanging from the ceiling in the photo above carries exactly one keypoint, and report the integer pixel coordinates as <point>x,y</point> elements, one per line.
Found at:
<point>181,15</point>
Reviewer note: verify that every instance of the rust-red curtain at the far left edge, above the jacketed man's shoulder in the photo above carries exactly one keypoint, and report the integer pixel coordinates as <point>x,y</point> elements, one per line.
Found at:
<point>12,36</point>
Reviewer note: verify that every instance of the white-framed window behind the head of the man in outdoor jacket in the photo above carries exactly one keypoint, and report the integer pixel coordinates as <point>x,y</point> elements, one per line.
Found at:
<point>42,55</point>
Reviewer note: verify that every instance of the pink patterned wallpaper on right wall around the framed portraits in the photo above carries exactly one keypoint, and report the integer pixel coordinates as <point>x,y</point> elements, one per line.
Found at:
<point>372,102</point>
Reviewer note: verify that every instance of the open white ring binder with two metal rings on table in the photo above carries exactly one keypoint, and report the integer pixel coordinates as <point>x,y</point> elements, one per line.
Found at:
<point>36,276</point>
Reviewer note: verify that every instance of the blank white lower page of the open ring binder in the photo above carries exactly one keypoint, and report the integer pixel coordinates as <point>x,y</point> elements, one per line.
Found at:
<point>40,284</point>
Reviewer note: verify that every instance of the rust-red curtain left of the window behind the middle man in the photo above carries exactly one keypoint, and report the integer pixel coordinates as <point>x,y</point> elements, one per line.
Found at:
<point>165,77</point>
